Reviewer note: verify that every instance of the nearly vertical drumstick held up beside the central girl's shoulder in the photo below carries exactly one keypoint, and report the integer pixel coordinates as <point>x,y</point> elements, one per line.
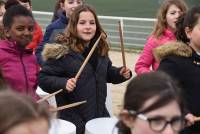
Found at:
<point>122,44</point>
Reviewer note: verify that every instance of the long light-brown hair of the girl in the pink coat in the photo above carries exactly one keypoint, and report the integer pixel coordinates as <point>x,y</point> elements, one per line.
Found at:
<point>161,23</point>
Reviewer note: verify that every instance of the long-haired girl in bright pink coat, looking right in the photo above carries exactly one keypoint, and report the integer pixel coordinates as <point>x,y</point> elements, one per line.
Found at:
<point>164,31</point>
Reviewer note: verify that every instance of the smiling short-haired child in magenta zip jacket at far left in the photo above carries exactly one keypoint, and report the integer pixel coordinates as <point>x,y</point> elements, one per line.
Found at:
<point>18,64</point>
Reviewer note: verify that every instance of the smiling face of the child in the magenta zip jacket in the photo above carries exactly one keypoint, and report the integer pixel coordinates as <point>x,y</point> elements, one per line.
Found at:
<point>21,30</point>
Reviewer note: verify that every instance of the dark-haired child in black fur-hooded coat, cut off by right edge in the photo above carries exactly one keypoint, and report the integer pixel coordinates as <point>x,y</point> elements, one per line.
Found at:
<point>182,61</point>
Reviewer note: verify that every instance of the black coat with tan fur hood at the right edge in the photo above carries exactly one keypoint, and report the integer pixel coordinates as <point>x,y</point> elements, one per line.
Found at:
<point>182,63</point>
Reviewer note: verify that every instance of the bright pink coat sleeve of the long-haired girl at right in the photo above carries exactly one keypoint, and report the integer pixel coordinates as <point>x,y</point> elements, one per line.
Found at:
<point>146,58</point>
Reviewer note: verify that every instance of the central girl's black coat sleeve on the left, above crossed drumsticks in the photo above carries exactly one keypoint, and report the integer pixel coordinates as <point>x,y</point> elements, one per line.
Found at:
<point>52,78</point>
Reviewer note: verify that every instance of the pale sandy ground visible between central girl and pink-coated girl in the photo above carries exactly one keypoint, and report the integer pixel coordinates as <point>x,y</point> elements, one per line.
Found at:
<point>119,89</point>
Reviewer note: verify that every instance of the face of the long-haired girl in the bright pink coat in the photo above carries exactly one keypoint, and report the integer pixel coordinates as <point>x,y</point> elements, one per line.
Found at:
<point>173,13</point>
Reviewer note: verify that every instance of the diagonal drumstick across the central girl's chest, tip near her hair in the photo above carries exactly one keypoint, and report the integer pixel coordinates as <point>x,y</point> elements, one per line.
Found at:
<point>87,58</point>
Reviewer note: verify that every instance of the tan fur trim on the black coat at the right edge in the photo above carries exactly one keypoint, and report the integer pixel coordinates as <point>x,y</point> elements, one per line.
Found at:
<point>172,48</point>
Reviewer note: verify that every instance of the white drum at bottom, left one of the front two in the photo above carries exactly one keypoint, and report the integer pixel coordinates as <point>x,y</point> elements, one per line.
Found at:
<point>59,126</point>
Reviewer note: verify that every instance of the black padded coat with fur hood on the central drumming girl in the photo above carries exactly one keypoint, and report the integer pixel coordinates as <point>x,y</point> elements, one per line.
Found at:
<point>91,85</point>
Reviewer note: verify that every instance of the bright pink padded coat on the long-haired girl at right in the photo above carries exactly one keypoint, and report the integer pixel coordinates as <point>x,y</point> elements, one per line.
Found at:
<point>146,59</point>
